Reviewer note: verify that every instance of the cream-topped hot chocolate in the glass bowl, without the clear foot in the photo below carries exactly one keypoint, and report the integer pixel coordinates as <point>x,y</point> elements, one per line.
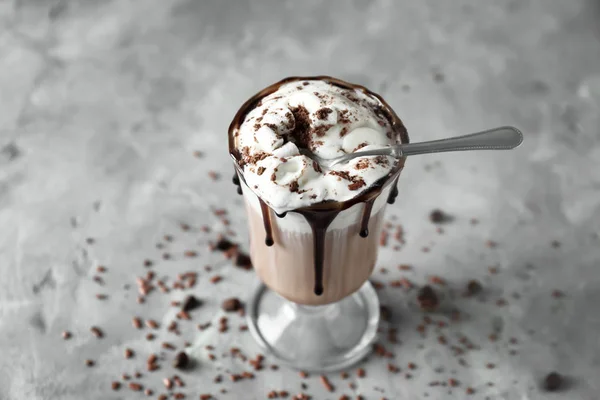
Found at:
<point>314,233</point>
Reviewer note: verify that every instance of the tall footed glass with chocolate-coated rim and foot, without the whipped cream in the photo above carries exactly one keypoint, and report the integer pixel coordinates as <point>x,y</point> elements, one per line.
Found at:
<point>315,309</point>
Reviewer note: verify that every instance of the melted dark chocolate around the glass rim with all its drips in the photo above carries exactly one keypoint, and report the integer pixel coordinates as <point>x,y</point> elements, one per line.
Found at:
<point>319,216</point>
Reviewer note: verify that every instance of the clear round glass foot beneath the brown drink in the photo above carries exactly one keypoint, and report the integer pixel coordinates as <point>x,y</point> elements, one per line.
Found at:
<point>315,338</point>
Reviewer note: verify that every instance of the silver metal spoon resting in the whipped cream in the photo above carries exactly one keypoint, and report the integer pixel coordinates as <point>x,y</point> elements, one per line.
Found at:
<point>503,138</point>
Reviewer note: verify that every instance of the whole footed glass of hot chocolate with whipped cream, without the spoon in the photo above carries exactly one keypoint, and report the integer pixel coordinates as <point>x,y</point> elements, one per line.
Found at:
<point>314,231</point>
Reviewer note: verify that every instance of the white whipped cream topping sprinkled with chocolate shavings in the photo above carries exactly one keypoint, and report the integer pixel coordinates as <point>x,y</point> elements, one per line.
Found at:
<point>328,120</point>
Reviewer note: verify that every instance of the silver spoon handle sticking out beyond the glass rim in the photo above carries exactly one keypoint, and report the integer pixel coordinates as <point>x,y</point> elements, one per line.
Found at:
<point>503,138</point>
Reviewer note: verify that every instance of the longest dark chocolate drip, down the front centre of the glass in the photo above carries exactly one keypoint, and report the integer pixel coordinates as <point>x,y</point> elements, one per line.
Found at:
<point>319,221</point>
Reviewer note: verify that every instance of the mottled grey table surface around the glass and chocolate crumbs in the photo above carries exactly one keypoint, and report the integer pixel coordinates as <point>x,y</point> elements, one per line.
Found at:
<point>103,104</point>
